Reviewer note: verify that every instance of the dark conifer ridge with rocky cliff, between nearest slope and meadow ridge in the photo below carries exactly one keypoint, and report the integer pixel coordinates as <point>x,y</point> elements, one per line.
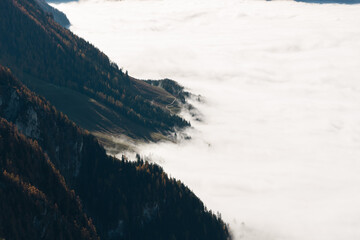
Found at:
<point>124,200</point>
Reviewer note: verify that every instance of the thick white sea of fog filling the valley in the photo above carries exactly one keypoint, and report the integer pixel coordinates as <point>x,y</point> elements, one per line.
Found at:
<point>278,150</point>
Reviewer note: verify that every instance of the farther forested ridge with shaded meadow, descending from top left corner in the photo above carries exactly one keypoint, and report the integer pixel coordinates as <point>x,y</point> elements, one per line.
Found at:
<point>40,51</point>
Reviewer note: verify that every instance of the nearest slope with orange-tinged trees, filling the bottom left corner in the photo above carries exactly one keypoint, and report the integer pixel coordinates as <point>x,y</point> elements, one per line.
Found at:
<point>35,202</point>
